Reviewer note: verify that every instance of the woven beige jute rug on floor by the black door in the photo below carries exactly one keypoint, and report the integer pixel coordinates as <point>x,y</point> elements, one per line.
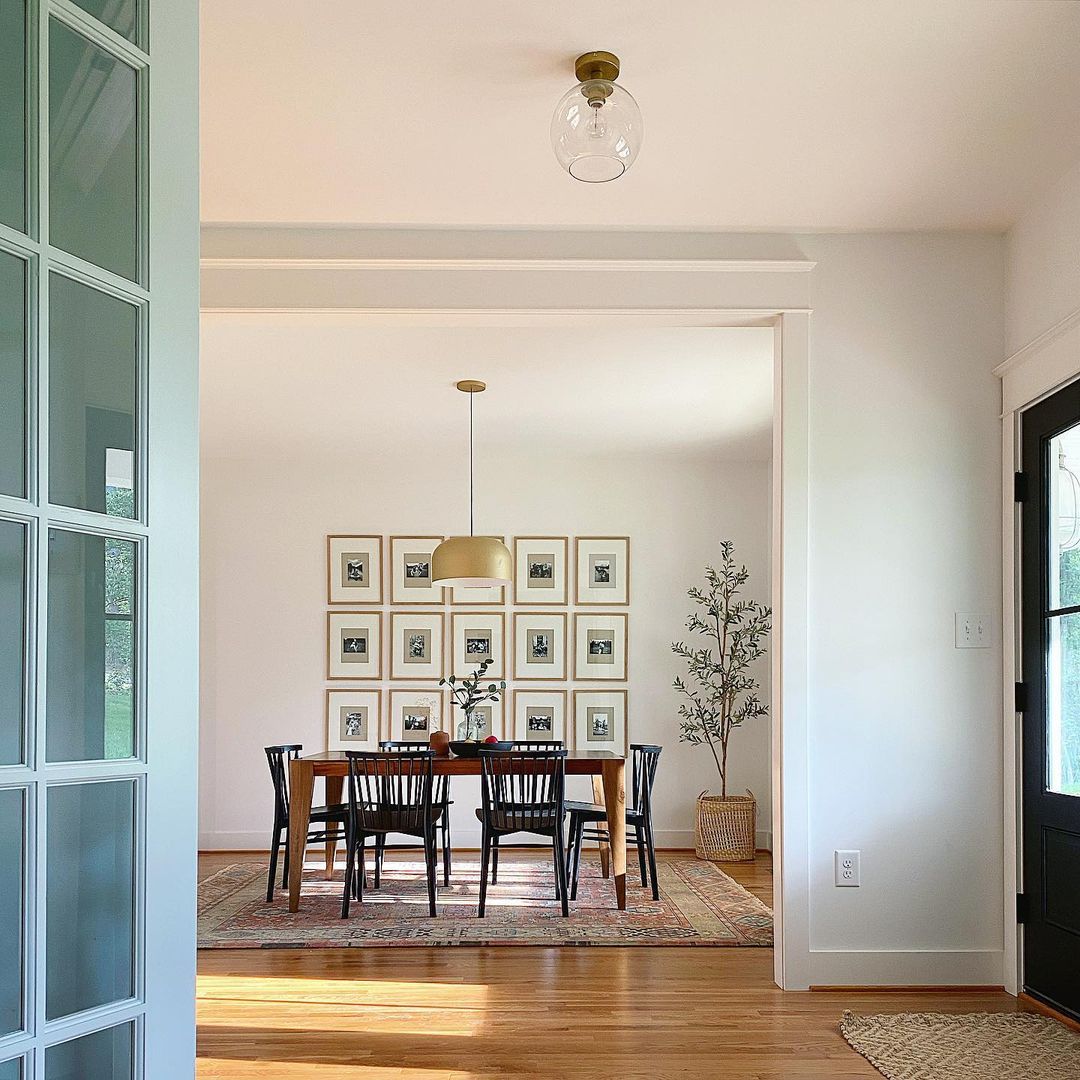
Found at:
<point>966,1047</point>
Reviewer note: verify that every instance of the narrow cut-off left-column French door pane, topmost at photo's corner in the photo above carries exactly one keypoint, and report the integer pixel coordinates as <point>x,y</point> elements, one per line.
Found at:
<point>13,114</point>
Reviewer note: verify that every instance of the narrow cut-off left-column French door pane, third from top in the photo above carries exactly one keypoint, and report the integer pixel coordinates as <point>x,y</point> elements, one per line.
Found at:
<point>13,649</point>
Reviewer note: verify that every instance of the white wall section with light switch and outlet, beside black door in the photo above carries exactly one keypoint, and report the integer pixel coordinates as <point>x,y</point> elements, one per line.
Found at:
<point>906,745</point>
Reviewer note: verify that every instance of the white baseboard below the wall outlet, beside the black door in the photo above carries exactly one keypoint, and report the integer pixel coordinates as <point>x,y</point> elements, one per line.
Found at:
<point>842,968</point>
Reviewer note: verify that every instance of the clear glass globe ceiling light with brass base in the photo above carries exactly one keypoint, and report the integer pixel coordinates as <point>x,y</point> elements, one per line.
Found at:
<point>597,130</point>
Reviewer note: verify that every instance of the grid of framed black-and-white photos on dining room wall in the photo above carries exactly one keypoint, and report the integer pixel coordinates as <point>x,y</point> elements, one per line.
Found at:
<point>558,637</point>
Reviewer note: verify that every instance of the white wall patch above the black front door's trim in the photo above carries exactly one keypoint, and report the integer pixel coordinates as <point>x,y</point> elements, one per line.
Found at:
<point>1044,259</point>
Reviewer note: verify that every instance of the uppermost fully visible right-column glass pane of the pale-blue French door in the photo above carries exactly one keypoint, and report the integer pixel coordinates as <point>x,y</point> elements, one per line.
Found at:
<point>92,157</point>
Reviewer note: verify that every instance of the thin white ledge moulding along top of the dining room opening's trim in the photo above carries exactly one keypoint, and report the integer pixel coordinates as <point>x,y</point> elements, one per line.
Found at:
<point>560,266</point>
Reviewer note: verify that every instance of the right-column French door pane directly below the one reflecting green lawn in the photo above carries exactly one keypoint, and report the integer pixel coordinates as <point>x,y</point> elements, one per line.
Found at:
<point>90,900</point>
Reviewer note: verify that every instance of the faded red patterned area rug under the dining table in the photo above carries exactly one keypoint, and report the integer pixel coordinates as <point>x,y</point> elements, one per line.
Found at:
<point>699,906</point>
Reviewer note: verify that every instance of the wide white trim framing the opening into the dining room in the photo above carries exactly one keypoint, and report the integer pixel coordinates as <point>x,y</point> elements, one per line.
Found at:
<point>545,292</point>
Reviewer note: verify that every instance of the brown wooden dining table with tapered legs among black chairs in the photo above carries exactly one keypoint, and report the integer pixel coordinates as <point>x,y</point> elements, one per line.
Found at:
<point>607,769</point>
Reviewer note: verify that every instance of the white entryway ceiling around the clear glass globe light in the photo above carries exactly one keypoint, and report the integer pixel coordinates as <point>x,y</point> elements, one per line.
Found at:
<point>760,115</point>
